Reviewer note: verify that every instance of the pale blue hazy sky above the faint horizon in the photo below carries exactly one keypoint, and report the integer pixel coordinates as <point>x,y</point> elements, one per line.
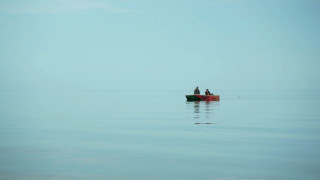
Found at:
<point>160,44</point>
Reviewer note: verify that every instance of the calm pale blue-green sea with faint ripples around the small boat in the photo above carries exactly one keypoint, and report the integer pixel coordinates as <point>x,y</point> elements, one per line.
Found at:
<point>137,135</point>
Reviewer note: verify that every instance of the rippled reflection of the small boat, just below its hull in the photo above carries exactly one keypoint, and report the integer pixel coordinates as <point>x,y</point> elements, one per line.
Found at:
<point>201,109</point>
